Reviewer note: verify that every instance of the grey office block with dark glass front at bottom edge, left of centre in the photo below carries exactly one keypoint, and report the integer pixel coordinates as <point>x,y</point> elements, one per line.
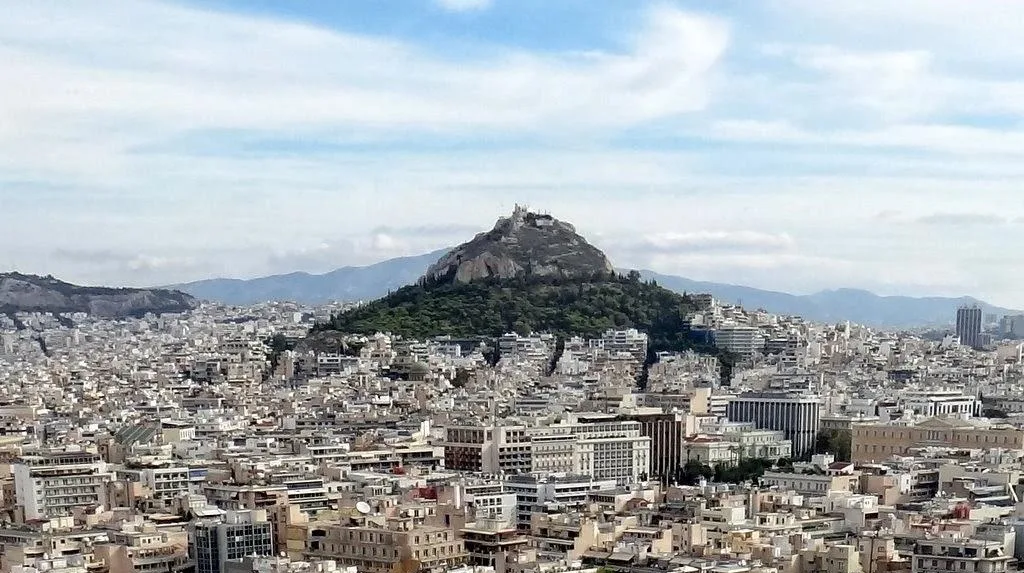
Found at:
<point>242,535</point>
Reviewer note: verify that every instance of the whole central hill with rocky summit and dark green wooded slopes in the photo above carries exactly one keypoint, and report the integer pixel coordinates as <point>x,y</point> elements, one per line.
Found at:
<point>559,284</point>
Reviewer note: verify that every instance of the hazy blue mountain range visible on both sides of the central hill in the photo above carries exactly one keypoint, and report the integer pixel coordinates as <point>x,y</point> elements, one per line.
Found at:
<point>367,283</point>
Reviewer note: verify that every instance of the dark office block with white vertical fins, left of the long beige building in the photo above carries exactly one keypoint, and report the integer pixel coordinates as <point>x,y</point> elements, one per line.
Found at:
<point>794,415</point>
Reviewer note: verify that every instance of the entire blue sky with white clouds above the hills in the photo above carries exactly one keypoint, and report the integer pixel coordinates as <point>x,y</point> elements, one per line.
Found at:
<point>786,145</point>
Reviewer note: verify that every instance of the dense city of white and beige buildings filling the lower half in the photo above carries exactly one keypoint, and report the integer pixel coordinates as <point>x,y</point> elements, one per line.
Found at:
<point>185,443</point>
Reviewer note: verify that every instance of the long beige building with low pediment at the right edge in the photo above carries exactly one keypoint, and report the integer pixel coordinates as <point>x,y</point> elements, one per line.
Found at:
<point>878,443</point>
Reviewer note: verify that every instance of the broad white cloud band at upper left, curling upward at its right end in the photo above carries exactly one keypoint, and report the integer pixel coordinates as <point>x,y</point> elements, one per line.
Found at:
<point>143,73</point>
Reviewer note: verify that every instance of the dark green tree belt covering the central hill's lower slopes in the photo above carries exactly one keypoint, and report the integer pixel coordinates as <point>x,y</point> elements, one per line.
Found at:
<point>584,307</point>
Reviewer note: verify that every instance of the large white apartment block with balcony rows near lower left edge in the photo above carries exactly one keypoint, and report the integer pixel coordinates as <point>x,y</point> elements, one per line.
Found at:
<point>53,484</point>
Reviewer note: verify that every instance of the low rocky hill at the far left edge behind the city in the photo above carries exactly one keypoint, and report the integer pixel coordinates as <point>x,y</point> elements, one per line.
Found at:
<point>26,293</point>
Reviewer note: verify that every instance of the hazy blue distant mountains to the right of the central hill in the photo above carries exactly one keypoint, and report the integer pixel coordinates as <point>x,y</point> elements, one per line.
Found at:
<point>856,305</point>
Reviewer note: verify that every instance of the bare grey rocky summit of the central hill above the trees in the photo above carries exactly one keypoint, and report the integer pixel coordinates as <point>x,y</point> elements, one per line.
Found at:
<point>524,245</point>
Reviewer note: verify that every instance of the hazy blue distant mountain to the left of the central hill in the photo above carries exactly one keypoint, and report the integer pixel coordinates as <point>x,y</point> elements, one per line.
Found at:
<point>347,284</point>
